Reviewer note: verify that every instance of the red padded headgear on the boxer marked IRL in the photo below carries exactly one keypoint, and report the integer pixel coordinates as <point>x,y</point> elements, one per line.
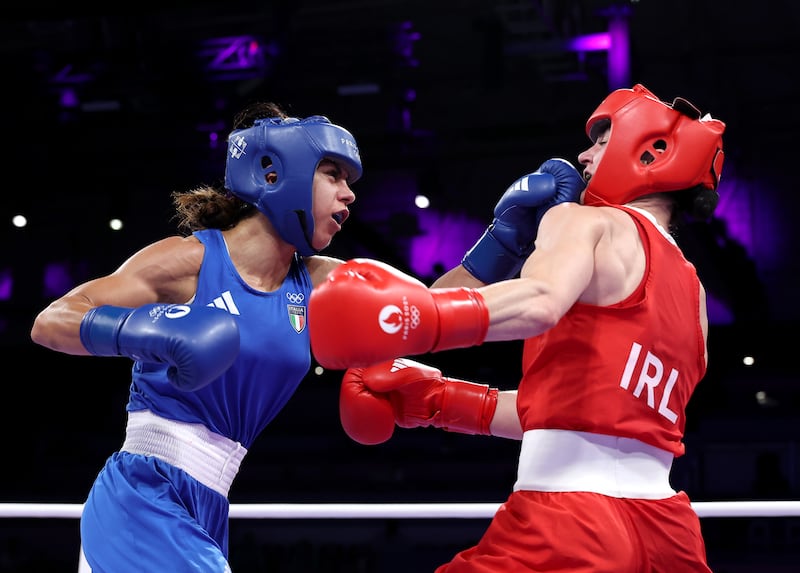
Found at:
<point>654,147</point>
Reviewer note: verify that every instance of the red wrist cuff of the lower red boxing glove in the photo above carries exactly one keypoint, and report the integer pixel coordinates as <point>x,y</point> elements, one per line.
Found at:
<point>467,408</point>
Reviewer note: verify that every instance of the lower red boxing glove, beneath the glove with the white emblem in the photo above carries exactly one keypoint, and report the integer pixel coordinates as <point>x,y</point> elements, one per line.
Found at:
<point>410,394</point>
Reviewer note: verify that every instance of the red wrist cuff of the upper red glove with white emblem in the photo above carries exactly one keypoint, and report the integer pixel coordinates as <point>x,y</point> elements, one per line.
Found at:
<point>463,318</point>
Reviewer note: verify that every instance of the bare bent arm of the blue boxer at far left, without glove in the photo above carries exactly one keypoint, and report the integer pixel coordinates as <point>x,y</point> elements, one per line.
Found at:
<point>165,271</point>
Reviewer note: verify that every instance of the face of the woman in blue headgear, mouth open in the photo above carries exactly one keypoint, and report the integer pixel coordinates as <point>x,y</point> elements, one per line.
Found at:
<point>331,196</point>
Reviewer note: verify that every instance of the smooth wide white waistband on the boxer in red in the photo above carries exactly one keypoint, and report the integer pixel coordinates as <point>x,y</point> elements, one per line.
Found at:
<point>563,460</point>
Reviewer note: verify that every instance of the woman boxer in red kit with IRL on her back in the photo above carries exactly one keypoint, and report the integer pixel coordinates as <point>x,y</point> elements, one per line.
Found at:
<point>614,322</point>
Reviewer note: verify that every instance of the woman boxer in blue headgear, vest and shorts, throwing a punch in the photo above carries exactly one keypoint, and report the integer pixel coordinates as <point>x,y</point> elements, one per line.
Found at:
<point>215,321</point>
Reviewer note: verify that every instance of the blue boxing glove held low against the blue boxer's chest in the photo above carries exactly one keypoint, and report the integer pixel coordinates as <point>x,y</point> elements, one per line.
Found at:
<point>199,343</point>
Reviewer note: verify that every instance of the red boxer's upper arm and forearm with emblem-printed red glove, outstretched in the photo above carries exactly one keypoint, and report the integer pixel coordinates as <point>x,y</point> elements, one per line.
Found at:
<point>390,314</point>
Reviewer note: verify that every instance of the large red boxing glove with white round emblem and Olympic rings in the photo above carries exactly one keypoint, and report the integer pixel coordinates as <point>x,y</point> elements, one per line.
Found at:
<point>367,312</point>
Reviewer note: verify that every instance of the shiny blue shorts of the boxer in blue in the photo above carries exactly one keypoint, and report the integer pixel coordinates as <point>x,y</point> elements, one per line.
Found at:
<point>143,514</point>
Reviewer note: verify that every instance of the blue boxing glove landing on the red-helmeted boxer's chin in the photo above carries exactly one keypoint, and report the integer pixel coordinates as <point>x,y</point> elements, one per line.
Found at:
<point>505,245</point>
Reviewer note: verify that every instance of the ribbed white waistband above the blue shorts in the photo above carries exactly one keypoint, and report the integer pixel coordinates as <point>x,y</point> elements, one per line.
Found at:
<point>211,459</point>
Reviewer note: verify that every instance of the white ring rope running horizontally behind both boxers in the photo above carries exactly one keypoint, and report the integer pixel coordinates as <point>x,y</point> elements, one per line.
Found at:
<point>398,510</point>
